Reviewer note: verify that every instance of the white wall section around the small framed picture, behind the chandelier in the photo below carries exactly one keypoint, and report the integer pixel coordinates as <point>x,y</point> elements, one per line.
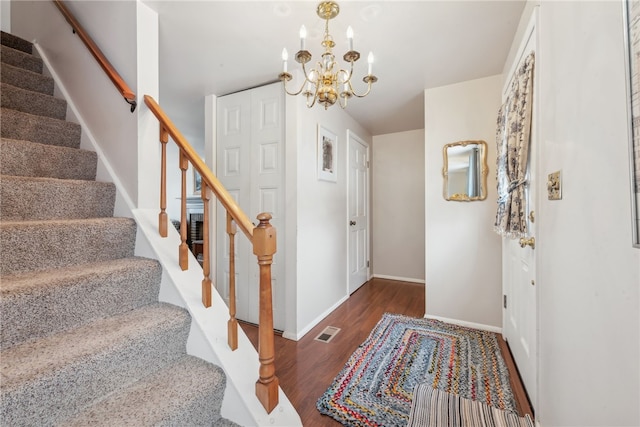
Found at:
<point>322,223</point>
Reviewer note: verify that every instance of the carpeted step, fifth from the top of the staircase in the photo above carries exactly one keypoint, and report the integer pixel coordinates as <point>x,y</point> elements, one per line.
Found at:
<point>23,126</point>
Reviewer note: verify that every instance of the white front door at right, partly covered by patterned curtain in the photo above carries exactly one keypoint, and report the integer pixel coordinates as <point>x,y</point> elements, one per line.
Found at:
<point>519,260</point>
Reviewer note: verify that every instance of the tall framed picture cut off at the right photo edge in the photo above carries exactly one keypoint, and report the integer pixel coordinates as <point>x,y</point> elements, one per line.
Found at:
<point>631,10</point>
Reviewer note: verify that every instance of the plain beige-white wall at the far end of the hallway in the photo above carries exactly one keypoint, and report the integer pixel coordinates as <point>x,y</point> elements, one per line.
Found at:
<point>397,170</point>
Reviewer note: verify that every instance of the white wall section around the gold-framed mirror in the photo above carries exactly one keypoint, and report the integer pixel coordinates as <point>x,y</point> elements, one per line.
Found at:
<point>463,253</point>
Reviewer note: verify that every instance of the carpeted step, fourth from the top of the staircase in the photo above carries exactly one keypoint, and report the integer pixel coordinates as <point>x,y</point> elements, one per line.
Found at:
<point>32,102</point>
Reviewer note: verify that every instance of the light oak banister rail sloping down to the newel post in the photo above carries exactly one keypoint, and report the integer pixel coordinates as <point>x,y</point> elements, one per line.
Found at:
<point>207,176</point>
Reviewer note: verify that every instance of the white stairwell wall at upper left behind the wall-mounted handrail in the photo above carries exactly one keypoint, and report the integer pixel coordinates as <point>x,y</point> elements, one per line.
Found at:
<point>113,27</point>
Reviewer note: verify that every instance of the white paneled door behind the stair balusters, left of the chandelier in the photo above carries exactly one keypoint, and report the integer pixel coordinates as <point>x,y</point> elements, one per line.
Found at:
<point>250,164</point>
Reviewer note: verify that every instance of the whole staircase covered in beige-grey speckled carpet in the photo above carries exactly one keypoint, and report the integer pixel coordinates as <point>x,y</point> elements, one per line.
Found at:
<point>83,338</point>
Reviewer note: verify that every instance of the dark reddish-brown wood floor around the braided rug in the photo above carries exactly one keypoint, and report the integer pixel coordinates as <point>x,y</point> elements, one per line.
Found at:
<point>307,367</point>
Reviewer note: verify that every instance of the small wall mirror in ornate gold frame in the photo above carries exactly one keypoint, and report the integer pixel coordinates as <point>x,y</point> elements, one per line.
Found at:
<point>465,171</point>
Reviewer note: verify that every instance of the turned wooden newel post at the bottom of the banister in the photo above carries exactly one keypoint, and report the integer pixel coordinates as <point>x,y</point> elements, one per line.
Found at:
<point>264,246</point>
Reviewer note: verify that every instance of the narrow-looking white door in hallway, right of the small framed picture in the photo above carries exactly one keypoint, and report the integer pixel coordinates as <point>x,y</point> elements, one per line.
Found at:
<point>358,219</point>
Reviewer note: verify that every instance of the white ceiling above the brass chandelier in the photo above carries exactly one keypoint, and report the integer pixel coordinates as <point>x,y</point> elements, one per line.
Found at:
<point>220,47</point>
